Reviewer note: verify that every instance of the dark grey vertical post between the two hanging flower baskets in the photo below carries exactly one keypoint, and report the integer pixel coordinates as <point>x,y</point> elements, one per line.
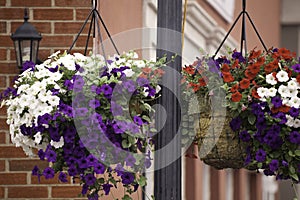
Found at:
<point>168,179</point>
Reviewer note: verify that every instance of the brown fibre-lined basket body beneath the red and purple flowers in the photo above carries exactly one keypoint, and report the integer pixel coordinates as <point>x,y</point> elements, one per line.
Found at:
<point>219,146</point>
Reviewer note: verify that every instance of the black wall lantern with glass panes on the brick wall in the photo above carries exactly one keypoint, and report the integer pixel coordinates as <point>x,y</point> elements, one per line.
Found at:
<point>26,41</point>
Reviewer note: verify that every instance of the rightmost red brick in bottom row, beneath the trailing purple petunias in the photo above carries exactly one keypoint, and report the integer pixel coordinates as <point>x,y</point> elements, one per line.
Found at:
<point>66,191</point>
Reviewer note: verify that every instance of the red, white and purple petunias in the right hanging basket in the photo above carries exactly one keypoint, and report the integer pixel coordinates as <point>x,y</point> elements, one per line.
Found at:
<point>262,93</point>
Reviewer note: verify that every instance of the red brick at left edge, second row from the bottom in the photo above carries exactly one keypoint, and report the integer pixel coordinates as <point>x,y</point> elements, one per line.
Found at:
<point>13,179</point>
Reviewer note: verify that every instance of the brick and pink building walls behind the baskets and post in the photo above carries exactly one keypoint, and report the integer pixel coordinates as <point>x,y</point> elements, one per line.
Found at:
<point>132,23</point>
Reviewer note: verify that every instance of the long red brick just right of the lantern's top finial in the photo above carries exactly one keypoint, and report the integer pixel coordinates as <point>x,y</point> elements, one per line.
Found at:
<point>53,14</point>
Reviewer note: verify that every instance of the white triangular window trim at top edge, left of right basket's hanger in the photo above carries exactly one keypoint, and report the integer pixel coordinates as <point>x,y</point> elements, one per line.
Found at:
<point>224,7</point>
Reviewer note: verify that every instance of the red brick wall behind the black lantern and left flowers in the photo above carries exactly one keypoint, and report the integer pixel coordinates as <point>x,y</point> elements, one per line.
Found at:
<point>58,21</point>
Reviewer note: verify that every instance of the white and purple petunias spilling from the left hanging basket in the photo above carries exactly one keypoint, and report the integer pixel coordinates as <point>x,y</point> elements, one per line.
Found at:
<point>88,116</point>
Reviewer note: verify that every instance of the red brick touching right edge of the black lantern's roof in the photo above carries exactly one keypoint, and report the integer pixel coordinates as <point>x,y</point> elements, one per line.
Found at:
<point>57,41</point>
